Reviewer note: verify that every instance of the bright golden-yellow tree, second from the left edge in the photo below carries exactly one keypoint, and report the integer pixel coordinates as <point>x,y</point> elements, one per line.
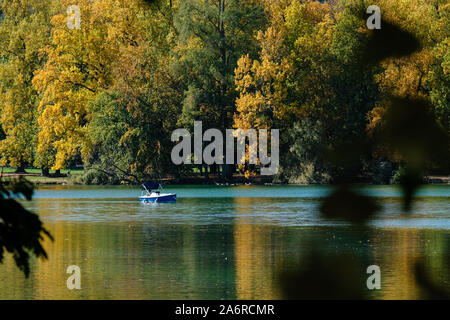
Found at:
<point>79,65</point>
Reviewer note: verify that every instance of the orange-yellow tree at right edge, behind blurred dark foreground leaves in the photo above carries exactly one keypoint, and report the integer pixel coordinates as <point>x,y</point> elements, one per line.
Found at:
<point>422,76</point>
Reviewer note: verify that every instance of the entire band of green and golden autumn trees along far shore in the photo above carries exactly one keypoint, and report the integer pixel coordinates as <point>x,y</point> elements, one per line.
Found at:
<point>108,96</point>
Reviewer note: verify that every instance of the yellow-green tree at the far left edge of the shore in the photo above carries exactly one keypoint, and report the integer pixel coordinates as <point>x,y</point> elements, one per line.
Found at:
<point>24,30</point>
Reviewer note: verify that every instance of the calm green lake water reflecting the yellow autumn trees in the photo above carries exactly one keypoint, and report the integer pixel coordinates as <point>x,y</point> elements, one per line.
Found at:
<point>220,242</point>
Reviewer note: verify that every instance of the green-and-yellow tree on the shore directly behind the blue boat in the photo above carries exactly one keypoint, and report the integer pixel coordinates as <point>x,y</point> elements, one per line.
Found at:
<point>133,119</point>
